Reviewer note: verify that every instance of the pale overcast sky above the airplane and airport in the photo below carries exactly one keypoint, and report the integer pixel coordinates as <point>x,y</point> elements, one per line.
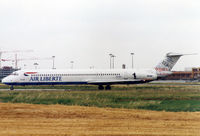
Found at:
<point>87,31</point>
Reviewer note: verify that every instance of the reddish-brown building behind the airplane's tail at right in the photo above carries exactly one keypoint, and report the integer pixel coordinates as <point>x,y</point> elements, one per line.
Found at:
<point>194,74</point>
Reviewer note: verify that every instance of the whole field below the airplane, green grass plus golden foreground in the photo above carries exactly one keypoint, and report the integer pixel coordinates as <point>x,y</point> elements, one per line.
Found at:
<point>74,111</point>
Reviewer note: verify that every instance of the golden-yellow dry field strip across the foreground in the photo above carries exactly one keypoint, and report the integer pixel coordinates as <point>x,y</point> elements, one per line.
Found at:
<point>58,120</point>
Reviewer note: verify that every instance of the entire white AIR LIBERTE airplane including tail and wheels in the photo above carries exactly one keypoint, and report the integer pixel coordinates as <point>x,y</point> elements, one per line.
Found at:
<point>103,78</point>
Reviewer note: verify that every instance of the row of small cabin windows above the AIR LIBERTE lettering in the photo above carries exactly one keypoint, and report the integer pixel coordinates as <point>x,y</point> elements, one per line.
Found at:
<point>103,74</point>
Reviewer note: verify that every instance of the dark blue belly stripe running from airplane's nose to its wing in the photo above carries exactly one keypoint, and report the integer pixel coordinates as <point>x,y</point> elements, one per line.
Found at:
<point>45,83</point>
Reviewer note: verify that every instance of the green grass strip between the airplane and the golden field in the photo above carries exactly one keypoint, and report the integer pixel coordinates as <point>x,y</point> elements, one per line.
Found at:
<point>160,97</point>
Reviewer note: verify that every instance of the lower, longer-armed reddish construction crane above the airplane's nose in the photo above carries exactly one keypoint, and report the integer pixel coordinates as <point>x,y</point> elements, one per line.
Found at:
<point>25,59</point>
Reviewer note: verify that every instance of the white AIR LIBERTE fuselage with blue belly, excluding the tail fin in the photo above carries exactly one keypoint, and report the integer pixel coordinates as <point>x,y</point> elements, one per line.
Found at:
<point>91,76</point>
